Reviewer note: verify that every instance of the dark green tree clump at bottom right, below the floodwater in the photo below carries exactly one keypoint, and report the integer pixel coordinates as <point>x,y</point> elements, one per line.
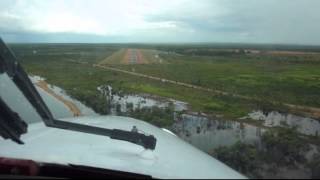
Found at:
<point>279,148</point>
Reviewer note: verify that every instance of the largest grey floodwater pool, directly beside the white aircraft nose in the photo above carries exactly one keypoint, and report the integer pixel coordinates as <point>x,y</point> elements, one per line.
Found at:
<point>208,134</point>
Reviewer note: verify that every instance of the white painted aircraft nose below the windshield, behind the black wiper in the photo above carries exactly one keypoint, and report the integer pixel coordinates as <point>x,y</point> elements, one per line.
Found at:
<point>172,158</point>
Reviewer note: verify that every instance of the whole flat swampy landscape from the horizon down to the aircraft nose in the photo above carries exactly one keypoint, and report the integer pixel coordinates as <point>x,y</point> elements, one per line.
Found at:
<point>256,108</point>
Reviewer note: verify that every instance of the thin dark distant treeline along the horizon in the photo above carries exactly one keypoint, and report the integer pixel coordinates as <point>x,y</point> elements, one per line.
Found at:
<point>176,46</point>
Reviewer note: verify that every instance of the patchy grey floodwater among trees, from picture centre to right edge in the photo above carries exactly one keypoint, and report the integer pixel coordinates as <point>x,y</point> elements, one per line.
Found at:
<point>208,134</point>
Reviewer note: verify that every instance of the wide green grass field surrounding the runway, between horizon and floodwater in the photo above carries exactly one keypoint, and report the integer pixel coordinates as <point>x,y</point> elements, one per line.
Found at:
<point>264,77</point>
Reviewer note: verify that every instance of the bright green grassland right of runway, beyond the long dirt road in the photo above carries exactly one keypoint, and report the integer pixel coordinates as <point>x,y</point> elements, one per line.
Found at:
<point>290,79</point>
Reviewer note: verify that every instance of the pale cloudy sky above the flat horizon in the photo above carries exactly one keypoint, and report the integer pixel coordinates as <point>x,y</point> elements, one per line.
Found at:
<point>161,21</point>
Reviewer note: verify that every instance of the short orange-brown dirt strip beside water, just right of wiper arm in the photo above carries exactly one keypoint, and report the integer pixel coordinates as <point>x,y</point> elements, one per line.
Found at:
<point>72,107</point>
